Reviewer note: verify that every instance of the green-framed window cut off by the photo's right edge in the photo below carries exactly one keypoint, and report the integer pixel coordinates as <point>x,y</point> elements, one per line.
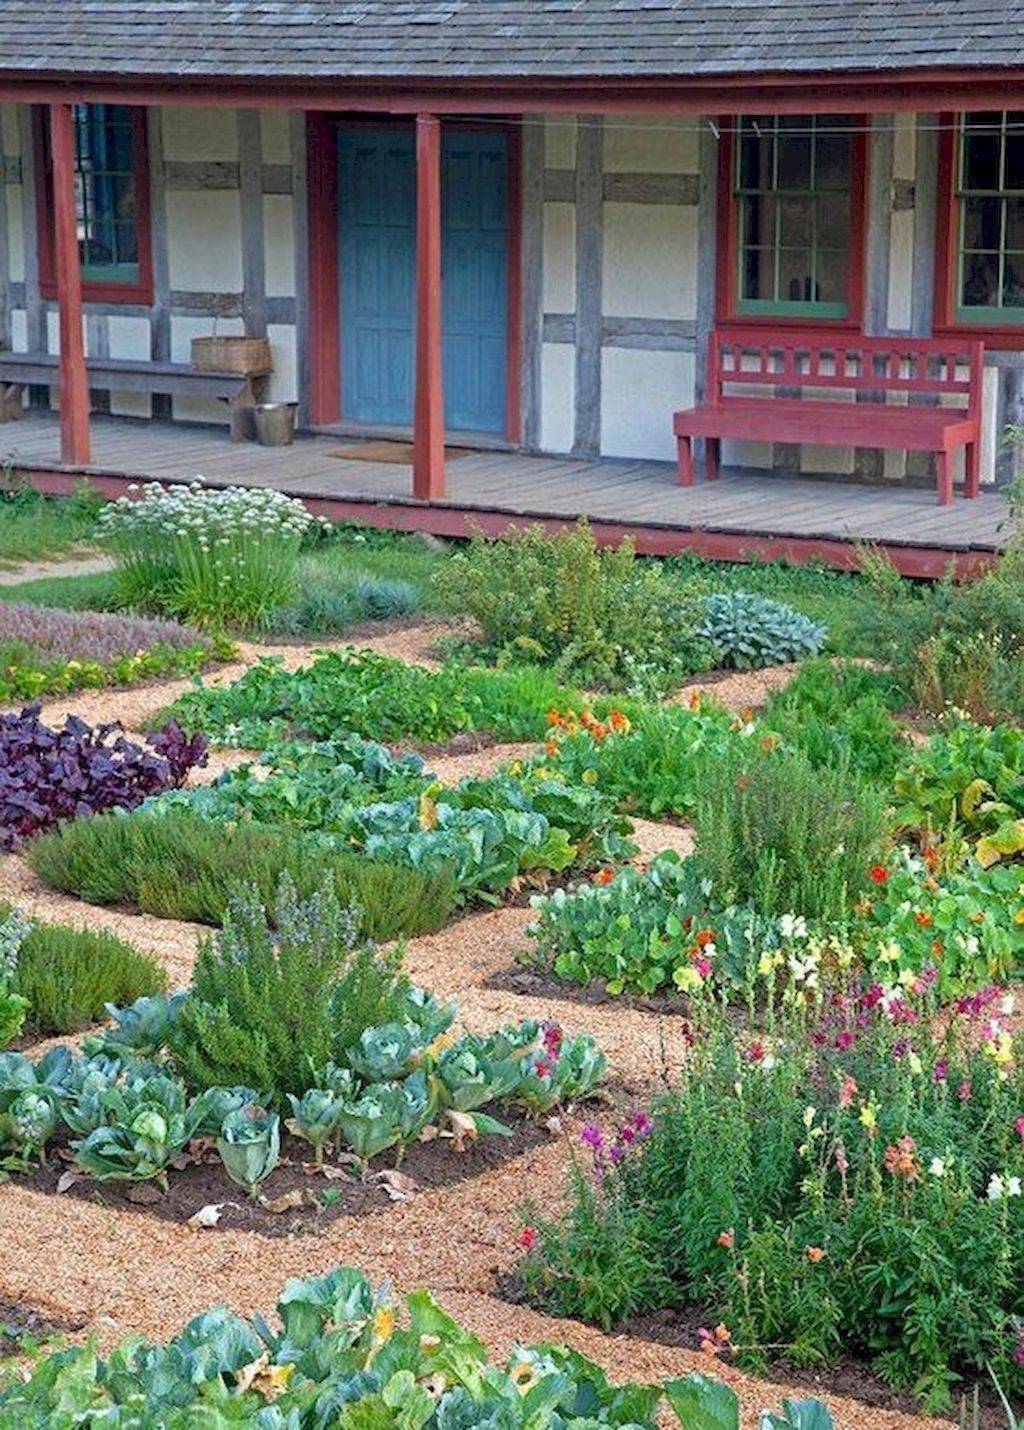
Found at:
<point>990,191</point>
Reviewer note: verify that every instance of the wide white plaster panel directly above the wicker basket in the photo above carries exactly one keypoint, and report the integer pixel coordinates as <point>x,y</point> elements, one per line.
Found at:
<point>205,241</point>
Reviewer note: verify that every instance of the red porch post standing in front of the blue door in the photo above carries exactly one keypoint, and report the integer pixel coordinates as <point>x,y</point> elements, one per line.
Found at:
<point>428,464</point>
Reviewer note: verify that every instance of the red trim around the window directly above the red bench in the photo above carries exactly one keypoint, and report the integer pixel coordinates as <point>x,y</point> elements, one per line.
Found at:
<point>729,234</point>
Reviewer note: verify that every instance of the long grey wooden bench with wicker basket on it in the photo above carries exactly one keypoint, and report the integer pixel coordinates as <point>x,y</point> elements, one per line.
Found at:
<point>241,391</point>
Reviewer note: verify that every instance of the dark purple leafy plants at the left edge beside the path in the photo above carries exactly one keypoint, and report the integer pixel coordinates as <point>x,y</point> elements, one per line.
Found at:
<point>48,776</point>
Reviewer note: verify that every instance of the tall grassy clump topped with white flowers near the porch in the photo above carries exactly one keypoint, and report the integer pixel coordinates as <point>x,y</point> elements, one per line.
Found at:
<point>212,557</point>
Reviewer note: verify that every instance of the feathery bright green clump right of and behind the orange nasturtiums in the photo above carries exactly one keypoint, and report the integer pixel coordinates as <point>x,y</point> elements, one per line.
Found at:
<point>842,717</point>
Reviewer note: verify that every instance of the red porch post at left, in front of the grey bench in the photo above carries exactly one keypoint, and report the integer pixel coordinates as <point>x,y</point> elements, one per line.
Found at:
<point>74,378</point>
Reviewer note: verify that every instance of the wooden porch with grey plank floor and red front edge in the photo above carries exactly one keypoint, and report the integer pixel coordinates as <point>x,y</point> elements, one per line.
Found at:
<point>747,516</point>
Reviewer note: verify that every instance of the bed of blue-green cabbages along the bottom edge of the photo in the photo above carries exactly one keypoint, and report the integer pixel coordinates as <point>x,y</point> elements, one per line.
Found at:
<point>344,1353</point>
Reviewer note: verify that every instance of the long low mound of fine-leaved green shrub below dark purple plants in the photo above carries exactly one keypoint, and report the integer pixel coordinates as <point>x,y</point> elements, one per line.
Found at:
<point>181,866</point>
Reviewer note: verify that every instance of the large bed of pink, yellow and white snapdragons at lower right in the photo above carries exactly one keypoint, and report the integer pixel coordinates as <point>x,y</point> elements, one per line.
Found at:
<point>849,1185</point>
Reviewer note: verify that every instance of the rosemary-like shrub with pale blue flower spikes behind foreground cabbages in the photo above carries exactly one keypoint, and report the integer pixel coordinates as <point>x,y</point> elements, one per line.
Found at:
<point>274,999</point>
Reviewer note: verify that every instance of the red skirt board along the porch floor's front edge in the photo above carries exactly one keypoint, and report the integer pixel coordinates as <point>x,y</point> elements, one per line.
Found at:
<point>651,540</point>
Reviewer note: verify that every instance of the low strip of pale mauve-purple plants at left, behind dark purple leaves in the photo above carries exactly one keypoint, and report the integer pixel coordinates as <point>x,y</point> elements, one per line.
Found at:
<point>89,636</point>
